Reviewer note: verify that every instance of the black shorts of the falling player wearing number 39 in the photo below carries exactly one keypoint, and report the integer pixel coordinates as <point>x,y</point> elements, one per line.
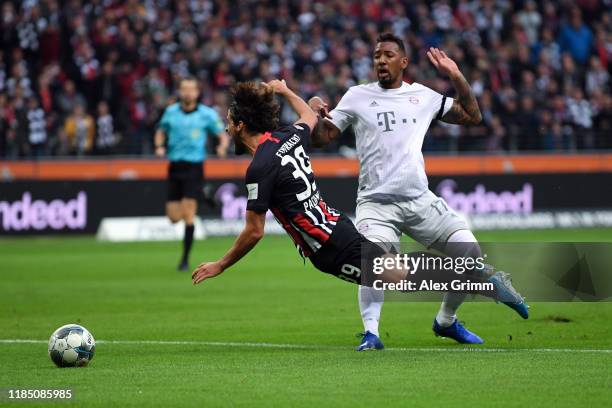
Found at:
<point>343,253</point>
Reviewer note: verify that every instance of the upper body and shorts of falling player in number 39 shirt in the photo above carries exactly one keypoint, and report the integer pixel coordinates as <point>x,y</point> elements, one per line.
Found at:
<point>280,178</point>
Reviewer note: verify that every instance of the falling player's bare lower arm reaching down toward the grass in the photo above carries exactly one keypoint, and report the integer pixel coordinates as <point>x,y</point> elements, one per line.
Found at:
<point>249,237</point>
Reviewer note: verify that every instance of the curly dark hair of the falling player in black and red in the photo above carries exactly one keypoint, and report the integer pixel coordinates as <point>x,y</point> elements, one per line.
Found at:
<point>254,104</point>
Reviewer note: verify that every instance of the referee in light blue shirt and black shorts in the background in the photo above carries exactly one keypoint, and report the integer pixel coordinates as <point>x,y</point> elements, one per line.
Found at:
<point>181,136</point>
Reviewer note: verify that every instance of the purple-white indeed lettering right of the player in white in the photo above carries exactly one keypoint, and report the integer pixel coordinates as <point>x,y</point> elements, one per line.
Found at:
<point>481,201</point>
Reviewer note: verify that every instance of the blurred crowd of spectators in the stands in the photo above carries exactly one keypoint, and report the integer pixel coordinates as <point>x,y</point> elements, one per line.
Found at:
<point>89,77</point>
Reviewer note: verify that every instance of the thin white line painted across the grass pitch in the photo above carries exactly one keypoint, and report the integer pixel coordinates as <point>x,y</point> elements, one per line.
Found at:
<point>320,347</point>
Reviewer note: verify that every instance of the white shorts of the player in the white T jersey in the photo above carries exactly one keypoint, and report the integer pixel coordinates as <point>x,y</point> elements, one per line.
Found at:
<point>426,219</point>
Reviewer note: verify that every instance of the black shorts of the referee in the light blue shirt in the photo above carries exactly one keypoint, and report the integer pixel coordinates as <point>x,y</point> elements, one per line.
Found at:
<point>184,180</point>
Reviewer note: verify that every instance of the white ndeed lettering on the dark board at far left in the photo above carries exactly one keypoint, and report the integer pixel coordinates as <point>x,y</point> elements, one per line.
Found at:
<point>26,214</point>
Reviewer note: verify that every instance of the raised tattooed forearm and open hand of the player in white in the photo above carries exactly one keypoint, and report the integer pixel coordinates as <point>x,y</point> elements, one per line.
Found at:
<point>465,110</point>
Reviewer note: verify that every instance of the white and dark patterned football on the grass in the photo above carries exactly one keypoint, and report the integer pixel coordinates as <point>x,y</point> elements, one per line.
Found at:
<point>71,346</point>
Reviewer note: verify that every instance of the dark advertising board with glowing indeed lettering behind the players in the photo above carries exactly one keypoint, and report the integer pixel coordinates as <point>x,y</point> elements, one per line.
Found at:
<point>490,201</point>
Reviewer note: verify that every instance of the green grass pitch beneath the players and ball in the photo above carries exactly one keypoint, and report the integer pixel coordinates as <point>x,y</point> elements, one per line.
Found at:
<point>275,332</point>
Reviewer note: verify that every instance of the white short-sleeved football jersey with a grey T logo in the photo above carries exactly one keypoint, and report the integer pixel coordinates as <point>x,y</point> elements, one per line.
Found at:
<point>389,127</point>
